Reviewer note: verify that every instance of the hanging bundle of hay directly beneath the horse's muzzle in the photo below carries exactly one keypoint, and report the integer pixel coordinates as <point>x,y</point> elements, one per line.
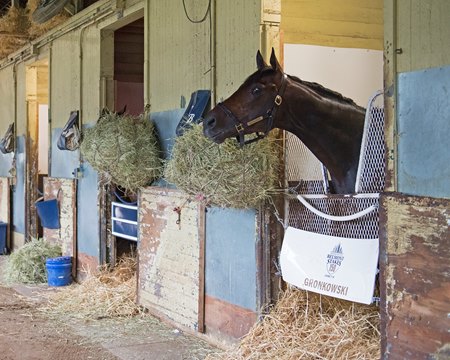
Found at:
<point>224,175</point>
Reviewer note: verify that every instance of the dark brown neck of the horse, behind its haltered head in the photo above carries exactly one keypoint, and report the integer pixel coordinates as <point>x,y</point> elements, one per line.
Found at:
<point>331,130</point>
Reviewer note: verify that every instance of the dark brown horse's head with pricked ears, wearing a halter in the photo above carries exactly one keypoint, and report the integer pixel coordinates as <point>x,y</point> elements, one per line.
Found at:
<point>252,108</point>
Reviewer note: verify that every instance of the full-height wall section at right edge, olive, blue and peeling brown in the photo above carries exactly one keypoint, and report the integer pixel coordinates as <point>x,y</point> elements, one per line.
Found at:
<point>414,213</point>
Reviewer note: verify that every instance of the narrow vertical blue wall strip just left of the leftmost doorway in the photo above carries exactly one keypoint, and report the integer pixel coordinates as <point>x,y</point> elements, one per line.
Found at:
<point>19,188</point>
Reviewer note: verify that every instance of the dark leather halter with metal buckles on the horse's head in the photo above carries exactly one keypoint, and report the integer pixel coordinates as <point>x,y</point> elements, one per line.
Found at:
<point>241,126</point>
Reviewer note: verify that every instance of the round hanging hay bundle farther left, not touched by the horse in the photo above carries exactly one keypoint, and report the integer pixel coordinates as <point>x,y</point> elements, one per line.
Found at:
<point>124,148</point>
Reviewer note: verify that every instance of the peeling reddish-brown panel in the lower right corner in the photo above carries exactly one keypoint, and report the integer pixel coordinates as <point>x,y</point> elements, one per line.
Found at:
<point>415,283</point>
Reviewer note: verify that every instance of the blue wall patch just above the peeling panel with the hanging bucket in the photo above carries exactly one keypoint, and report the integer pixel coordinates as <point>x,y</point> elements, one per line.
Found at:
<point>63,162</point>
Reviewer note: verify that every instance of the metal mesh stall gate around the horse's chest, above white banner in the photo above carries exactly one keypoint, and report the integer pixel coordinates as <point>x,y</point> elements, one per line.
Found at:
<point>303,171</point>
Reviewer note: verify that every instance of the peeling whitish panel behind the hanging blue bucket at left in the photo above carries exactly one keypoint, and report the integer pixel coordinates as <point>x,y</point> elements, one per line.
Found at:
<point>64,191</point>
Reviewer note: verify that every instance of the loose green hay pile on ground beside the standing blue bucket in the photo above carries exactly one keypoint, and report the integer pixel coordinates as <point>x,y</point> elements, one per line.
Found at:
<point>27,264</point>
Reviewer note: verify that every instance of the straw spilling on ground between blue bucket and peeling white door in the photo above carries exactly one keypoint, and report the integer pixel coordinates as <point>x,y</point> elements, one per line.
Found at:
<point>107,294</point>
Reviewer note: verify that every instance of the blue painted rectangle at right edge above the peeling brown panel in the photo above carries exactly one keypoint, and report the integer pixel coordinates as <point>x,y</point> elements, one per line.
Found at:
<point>424,132</point>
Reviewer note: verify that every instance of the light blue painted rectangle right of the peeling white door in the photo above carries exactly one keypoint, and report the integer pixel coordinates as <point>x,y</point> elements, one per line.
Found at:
<point>230,258</point>
